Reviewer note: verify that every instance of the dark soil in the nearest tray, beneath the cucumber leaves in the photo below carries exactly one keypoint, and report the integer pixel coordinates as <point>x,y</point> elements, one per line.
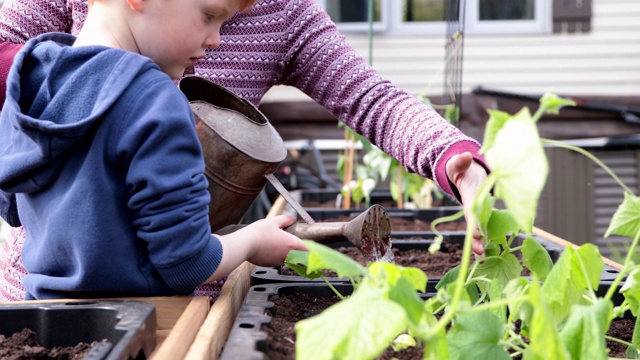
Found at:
<point>290,309</point>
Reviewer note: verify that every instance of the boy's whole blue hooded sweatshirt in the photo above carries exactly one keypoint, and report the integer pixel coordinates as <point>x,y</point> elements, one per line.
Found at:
<point>100,159</point>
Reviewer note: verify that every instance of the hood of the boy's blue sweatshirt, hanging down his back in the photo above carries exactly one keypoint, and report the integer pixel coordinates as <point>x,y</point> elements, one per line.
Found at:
<point>56,94</point>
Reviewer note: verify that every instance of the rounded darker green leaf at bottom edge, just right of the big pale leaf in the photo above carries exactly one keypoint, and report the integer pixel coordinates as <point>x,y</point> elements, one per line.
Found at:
<point>476,335</point>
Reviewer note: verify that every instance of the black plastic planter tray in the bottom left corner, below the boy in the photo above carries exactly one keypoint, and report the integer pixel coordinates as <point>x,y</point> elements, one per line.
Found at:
<point>128,326</point>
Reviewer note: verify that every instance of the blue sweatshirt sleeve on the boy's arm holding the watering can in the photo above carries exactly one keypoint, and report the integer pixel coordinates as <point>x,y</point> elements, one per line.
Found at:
<point>167,190</point>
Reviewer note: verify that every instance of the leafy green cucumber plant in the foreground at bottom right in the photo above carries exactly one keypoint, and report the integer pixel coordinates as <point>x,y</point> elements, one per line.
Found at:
<point>477,306</point>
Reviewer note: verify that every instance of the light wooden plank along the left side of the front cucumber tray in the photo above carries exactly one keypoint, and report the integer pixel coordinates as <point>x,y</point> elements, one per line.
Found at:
<point>215,330</point>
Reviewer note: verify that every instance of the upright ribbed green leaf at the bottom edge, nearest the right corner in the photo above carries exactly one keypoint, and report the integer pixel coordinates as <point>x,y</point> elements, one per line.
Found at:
<point>583,334</point>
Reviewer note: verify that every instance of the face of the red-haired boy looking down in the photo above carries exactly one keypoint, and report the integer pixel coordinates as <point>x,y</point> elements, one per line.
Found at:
<point>178,31</point>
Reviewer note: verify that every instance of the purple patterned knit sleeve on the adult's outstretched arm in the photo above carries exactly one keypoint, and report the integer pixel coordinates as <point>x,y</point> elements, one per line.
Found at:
<point>324,66</point>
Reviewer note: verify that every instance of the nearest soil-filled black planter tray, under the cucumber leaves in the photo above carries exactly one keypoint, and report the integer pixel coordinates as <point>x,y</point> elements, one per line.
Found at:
<point>264,328</point>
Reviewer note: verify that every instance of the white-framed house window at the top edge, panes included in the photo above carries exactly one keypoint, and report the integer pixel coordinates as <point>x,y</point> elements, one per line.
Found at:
<point>428,17</point>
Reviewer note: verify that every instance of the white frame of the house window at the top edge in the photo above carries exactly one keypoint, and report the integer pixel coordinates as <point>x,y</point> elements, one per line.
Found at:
<point>391,22</point>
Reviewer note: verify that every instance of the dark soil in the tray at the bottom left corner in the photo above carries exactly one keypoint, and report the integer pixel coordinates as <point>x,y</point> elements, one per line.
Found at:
<point>23,345</point>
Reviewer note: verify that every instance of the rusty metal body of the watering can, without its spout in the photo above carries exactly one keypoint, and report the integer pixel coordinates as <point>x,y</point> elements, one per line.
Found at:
<point>239,146</point>
